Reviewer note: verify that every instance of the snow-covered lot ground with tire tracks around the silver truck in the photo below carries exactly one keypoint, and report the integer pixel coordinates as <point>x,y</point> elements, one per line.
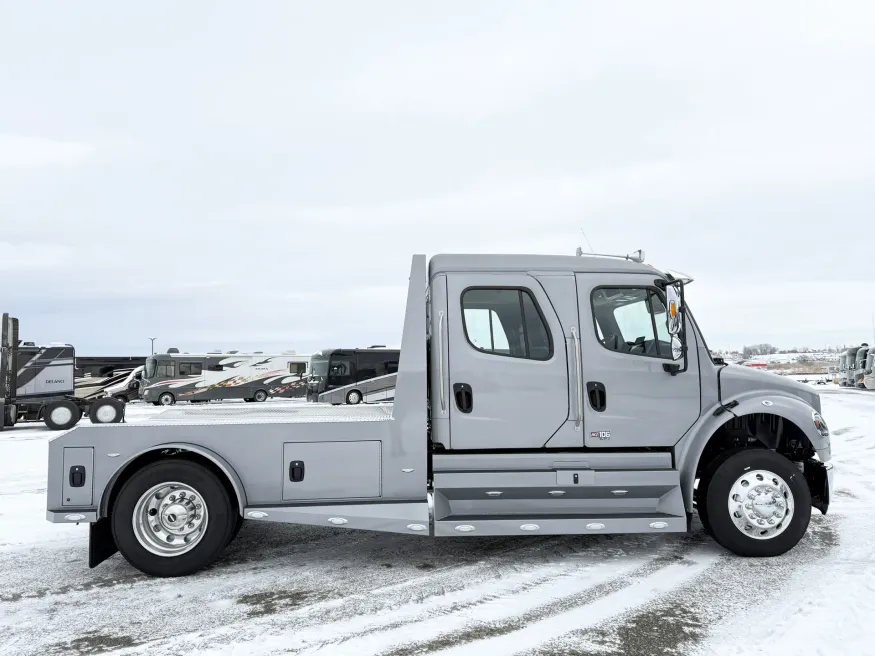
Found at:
<point>311,590</point>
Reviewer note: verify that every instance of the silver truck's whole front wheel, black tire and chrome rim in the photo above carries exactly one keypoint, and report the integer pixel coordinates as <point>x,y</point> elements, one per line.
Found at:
<point>758,503</point>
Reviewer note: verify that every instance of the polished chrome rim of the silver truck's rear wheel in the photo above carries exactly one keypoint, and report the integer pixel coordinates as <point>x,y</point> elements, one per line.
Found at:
<point>170,519</point>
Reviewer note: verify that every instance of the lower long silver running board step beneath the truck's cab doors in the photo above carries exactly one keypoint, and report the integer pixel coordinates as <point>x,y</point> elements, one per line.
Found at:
<point>559,525</point>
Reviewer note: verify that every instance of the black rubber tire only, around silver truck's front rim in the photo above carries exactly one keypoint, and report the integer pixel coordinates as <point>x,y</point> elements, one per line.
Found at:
<point>729,469</point>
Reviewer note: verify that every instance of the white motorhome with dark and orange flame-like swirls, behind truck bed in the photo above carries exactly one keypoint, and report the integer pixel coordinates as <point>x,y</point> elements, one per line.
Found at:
<point>171,377</point>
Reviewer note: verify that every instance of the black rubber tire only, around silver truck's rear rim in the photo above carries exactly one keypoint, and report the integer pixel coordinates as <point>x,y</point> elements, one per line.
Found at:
<point>220,525</point>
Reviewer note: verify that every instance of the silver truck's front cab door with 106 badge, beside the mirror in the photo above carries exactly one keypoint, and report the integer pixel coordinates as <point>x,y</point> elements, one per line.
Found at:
<point>629,398</point>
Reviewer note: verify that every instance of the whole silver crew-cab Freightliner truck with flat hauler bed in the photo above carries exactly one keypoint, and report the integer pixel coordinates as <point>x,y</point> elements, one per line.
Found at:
<point>535,395</point>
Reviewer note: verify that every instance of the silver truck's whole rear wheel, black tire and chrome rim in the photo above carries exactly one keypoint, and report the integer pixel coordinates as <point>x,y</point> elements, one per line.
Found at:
<point>172,518</point>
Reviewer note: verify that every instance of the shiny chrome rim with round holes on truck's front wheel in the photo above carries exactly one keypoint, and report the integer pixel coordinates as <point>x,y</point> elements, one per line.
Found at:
<point>761,504</point>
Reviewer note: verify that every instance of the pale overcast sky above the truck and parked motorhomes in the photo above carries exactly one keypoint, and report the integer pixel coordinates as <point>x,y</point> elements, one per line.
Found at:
<point>257,175</point>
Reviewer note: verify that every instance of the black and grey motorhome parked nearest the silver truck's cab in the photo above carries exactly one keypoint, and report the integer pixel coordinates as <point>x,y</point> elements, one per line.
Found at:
<point>353,376</point>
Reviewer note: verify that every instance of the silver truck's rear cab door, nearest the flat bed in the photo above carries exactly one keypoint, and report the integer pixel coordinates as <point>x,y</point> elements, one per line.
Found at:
<point>507,364</point>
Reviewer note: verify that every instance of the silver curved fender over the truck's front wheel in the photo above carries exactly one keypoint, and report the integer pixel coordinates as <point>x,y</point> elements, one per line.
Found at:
<point>690,448</point>
